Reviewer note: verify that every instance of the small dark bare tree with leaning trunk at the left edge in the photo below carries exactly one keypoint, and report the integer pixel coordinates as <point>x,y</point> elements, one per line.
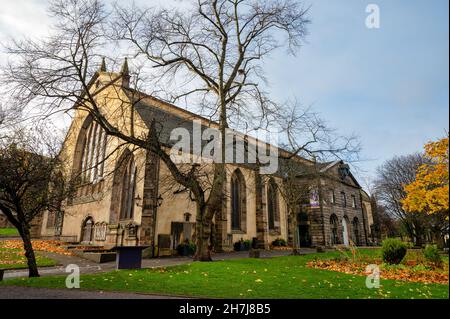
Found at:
<point>29,184</point>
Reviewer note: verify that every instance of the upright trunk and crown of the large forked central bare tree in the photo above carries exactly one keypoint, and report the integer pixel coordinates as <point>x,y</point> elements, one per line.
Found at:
<point>217,47</point>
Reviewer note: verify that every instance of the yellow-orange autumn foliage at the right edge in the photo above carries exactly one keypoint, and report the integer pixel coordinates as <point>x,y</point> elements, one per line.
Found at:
<point>429,192</point>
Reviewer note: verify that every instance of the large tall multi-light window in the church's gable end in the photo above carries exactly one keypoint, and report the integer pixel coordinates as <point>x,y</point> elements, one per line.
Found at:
<point>94,148</point>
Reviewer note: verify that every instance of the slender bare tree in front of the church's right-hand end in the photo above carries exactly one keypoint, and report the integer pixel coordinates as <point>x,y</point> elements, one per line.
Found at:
<point>308,142</point>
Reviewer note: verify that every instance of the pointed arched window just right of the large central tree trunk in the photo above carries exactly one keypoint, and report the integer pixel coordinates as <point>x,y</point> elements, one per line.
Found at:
<point>238,202</point>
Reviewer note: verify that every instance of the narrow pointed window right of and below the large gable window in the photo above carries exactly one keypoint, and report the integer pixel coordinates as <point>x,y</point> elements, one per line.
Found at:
<point>128,190</point>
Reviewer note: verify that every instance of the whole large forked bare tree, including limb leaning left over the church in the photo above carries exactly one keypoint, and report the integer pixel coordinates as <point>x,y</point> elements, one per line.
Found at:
<point>209,55</point>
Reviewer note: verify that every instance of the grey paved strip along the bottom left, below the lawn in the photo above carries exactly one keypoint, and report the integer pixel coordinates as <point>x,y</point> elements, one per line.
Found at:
<point>9,292</point>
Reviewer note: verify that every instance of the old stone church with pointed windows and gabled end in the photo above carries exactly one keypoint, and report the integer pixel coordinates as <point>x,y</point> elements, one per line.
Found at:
<point>126,196</point>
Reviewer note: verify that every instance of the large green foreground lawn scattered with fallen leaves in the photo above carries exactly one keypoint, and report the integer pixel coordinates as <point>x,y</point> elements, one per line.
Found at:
<point>282,277</point>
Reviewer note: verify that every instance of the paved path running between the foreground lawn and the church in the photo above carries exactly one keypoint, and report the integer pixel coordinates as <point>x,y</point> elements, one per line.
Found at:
<point>90,267</point>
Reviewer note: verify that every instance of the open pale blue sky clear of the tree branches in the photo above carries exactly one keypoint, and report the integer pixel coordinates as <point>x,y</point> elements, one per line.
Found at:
<point>389,86</point>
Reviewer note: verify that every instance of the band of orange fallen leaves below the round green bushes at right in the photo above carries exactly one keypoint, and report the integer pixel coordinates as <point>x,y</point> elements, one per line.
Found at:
<point>401,272</point>
